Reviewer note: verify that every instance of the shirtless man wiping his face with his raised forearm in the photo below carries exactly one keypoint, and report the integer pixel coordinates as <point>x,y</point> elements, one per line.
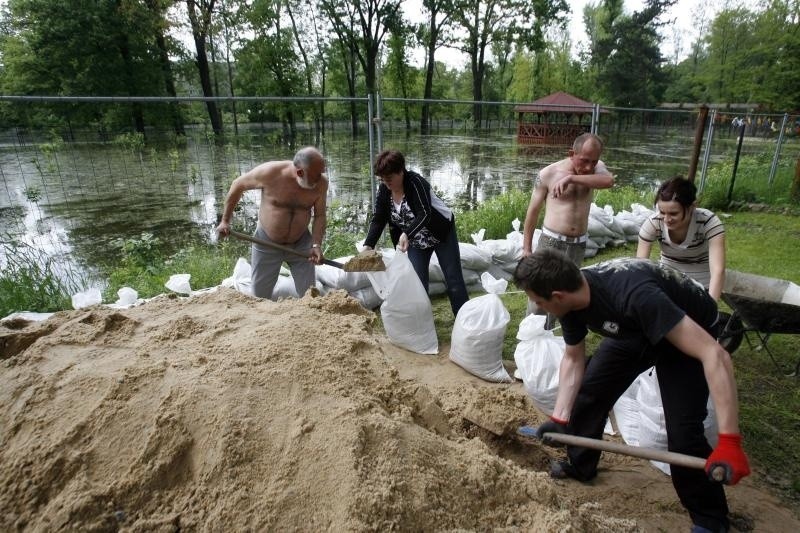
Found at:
<point>566,187</point>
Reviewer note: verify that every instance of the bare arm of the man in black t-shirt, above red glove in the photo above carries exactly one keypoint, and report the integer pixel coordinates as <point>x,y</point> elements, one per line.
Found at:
<point>694,341</point>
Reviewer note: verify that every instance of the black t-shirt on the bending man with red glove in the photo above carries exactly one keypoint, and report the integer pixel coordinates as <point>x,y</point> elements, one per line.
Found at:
<point>638,298</point>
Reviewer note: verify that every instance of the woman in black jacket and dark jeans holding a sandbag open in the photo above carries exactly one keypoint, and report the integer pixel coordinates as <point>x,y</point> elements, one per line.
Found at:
<point>419,223</point>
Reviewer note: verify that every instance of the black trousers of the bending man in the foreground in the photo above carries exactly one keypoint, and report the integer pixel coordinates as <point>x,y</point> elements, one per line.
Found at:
<point>684,394</point>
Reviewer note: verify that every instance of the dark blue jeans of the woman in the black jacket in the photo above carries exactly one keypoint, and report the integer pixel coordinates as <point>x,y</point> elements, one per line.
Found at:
<point>450,260</point>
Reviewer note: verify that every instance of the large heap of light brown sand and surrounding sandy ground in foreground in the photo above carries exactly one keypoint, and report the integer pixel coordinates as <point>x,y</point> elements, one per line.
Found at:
<point>226,413</point>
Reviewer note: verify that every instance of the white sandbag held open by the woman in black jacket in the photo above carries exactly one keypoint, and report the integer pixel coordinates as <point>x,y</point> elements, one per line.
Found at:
<point>406,311</point>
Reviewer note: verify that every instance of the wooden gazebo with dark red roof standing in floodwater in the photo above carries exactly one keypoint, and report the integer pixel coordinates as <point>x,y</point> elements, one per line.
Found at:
<point>554,119</point>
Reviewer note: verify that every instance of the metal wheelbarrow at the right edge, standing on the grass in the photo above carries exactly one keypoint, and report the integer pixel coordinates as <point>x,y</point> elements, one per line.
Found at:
<point>762,306</point>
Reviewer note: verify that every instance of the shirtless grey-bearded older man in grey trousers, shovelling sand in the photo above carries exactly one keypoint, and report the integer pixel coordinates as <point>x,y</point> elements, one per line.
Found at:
<point>292,192</point>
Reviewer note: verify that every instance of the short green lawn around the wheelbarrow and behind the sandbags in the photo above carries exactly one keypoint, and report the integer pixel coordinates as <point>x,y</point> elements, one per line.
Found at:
<point>769,401</point>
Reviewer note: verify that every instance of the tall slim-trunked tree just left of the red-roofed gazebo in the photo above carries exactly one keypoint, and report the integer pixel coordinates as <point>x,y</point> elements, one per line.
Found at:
<point>488,21</point>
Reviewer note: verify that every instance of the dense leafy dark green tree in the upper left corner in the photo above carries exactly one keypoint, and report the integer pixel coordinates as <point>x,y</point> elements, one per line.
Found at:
<point>66,48</point>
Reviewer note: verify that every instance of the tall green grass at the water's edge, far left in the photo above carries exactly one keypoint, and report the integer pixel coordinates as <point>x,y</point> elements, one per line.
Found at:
<point>31,281</point>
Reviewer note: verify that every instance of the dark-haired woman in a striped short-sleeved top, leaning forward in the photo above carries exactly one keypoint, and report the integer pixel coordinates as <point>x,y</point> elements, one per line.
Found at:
<point>692,239</point>
